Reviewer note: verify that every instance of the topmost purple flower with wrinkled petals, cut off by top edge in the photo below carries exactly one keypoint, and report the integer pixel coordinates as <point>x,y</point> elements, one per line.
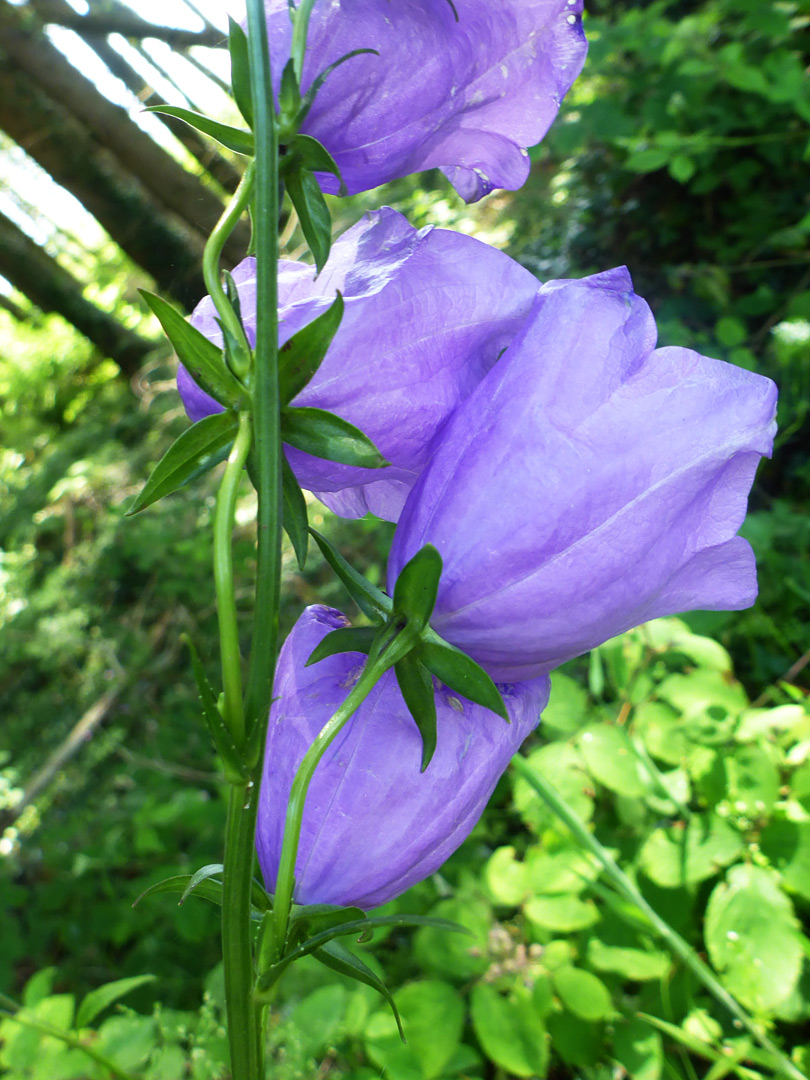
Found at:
<point>468,96</point>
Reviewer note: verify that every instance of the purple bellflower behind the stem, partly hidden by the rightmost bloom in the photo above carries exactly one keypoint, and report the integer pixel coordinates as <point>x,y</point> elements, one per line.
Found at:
<point>427,315</point>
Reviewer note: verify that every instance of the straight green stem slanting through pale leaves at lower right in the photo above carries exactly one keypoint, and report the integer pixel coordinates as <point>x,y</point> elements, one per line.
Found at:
<point>627,889</point>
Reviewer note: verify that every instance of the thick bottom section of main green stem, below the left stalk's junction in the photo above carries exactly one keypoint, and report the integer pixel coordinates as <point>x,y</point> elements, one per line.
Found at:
<point>245,1029</point>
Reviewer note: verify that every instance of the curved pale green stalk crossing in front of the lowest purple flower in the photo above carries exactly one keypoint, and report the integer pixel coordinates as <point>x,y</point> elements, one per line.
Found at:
<point>286,882</point>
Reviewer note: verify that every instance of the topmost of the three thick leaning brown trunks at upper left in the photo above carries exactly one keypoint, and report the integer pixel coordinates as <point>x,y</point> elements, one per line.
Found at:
<point>179,191</point>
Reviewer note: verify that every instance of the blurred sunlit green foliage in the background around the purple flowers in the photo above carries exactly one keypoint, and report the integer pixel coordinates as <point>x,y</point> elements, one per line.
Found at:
<point>682,153</point>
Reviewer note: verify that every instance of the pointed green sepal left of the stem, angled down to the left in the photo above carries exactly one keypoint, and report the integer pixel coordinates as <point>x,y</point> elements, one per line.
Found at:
<point>198,450</point>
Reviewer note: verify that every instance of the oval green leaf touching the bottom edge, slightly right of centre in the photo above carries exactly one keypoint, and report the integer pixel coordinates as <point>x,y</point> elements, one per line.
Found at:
<point>511,1032</point>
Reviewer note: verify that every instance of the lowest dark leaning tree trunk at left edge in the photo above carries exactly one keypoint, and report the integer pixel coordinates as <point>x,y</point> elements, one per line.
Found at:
<point>52,288</point>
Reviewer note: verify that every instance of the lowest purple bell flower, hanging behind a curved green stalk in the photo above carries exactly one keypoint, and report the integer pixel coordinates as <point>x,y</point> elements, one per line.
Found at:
<point>373,823</point>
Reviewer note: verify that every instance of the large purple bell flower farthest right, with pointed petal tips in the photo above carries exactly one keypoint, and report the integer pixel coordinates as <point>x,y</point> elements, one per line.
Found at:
<point>592,482</point>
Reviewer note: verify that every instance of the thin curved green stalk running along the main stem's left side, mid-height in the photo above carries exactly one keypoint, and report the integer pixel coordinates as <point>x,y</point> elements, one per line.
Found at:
<point>226,507</point>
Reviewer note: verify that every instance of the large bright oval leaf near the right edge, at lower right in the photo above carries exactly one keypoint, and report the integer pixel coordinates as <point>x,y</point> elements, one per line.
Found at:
<point>753,938</point>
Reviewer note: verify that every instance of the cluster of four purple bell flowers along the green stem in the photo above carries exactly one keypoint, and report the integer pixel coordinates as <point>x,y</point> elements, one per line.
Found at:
<point>575,479</point>
